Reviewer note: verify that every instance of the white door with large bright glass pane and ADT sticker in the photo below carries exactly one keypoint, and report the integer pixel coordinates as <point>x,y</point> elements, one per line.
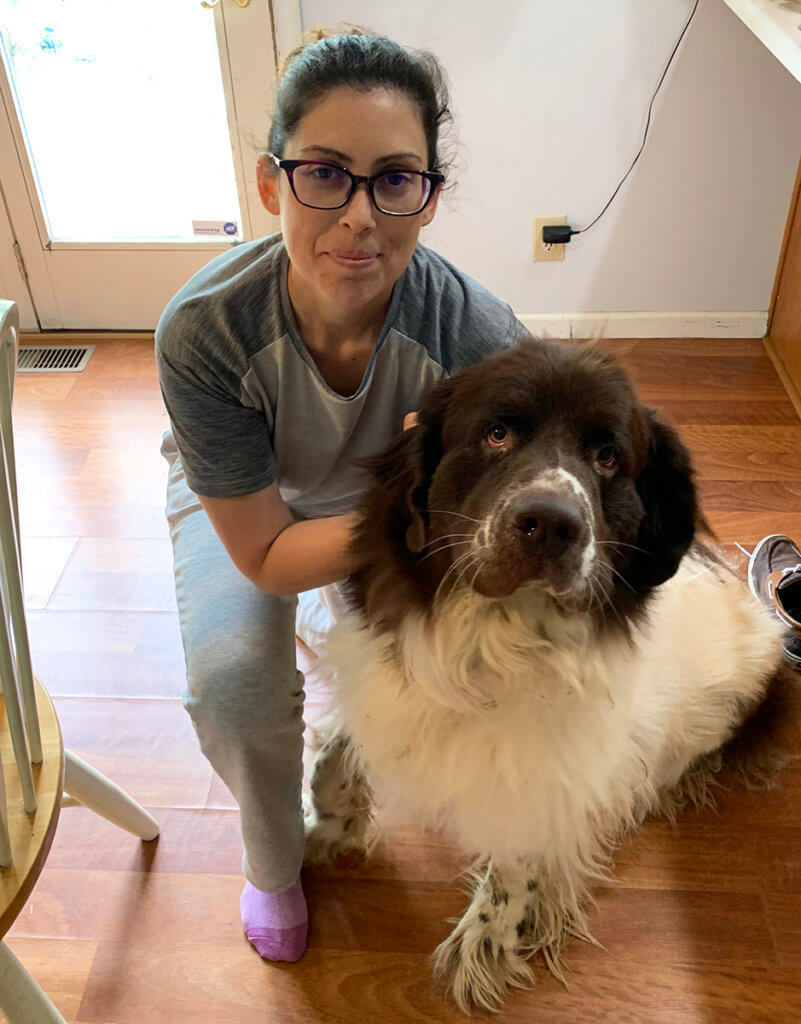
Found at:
<point>129,140</point>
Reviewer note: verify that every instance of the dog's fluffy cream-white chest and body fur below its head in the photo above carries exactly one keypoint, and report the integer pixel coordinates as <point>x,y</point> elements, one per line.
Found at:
<point>524,735</point>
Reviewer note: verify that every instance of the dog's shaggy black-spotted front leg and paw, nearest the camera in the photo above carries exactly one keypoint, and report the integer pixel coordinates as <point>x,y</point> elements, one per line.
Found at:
<point>486,953</point>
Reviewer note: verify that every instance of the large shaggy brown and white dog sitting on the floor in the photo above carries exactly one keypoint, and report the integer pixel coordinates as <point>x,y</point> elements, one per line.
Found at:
<point>539,655</point>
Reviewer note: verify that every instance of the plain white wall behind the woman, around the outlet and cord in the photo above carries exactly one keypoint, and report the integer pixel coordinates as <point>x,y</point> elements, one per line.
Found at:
<point>557,92</point>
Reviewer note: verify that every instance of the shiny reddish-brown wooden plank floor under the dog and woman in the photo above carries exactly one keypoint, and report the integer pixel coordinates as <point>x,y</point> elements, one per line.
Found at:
<point>705,923</point>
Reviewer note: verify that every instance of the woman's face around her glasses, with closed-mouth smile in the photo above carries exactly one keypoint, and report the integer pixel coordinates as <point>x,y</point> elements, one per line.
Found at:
<point>346,262</point>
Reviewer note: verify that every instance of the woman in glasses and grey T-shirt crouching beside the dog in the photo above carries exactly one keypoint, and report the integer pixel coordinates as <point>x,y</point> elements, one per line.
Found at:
<point>281,363</point>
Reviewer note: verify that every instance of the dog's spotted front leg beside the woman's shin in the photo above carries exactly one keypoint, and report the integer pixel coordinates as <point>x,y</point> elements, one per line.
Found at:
<point>338,813</point>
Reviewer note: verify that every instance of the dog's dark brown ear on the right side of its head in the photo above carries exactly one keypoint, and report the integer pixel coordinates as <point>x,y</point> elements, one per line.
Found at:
<point>667,490</point>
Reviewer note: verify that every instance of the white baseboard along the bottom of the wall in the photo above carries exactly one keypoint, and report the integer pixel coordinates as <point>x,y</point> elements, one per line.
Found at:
<point>748,324</point>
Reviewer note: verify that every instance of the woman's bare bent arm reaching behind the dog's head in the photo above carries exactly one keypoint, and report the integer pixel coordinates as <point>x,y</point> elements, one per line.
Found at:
<point>281,557</point>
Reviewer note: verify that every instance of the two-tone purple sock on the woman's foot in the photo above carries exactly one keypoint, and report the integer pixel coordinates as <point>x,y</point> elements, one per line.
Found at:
<point>276,923</point>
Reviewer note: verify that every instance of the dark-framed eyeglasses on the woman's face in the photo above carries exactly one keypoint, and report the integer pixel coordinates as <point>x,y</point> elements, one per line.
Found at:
<point>399,193</point>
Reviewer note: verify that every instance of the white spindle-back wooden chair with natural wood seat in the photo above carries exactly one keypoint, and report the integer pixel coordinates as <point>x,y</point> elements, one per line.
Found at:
<point>32,797</point>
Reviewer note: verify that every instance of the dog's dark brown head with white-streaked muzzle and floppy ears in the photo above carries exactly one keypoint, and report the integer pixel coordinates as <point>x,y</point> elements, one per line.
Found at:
<point>538,467</point>
